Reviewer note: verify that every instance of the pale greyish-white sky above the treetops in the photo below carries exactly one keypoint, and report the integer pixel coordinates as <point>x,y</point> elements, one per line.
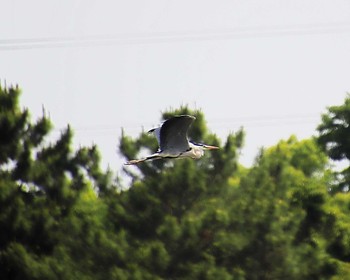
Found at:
<point>270,66</point>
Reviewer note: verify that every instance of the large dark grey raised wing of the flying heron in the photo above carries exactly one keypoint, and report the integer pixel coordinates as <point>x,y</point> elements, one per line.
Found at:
<point>173,134</point>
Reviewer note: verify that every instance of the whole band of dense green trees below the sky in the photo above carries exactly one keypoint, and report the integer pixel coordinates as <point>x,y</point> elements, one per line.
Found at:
<point>62,217</point>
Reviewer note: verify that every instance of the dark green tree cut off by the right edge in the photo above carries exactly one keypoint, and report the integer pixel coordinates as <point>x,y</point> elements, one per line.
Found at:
<point>334,138</point>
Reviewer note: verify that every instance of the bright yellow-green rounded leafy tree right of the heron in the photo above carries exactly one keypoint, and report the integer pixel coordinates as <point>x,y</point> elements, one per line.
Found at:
<point>277,228</point>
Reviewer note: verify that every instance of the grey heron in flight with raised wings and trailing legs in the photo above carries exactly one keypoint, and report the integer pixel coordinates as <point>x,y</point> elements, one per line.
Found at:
<point>173,141</point>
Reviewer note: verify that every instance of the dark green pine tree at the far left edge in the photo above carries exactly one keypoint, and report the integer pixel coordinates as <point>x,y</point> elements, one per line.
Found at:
<point>53,224</point>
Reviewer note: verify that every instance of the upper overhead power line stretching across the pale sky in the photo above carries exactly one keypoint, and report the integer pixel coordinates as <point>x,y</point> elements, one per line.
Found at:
<point>169,37</point>
